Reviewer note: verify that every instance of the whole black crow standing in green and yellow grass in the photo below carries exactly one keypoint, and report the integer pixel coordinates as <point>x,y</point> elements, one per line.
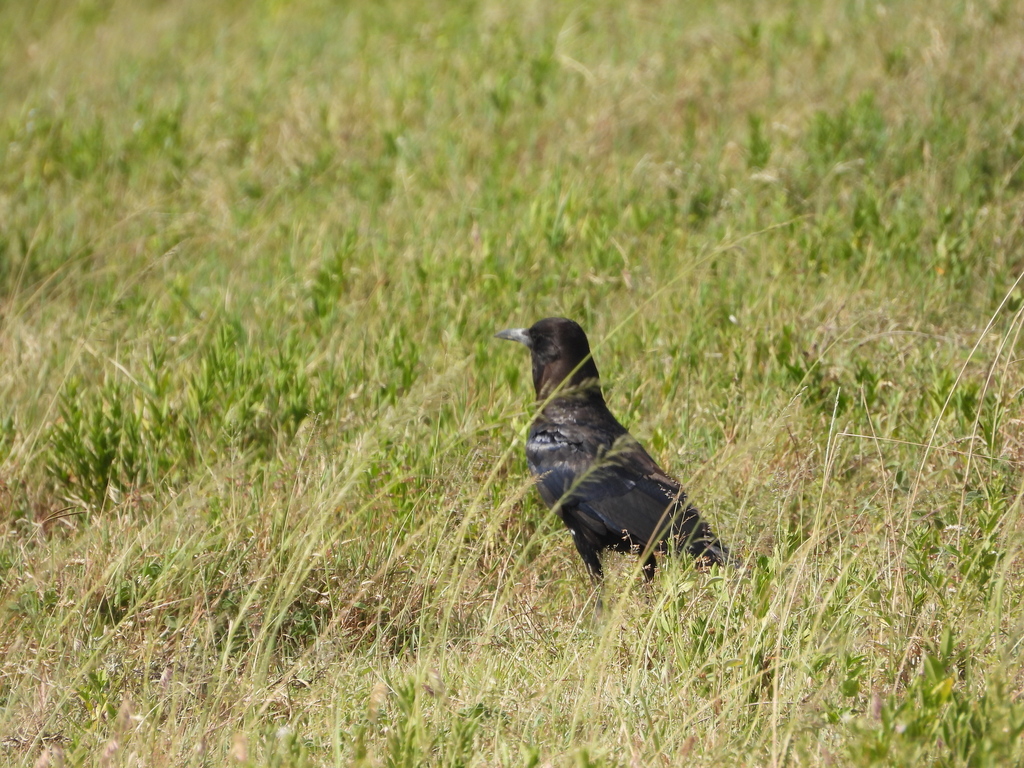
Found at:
<point>598,479</point>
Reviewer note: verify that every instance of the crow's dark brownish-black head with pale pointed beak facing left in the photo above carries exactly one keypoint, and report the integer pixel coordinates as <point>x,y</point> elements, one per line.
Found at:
<point>561,354</point>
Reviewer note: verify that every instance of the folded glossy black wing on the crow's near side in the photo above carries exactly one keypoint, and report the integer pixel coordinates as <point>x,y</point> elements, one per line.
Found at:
<point>618,487</point>
